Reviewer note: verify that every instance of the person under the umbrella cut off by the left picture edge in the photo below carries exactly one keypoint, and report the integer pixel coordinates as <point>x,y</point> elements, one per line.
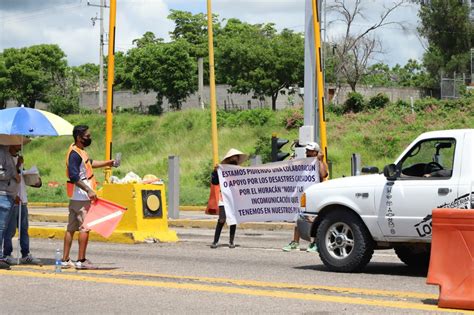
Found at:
<point>9,181</point>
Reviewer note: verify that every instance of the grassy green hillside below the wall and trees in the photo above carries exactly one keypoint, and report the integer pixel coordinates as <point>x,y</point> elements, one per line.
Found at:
<point>147,141</point>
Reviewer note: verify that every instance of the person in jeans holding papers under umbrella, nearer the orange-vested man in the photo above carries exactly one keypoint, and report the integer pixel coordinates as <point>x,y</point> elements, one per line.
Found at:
<point>26,257</point>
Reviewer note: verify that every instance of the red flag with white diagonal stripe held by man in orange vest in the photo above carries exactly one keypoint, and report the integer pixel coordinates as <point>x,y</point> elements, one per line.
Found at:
<point>103,217</point>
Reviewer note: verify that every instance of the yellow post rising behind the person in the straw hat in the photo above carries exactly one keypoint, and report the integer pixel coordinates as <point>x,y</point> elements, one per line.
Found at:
<point>212,86</point>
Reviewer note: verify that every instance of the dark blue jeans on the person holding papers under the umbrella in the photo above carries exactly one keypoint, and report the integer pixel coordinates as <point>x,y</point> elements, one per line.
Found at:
<point>11,229</point>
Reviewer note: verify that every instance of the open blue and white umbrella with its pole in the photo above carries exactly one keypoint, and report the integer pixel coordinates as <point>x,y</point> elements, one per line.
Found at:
<point>24,121</point>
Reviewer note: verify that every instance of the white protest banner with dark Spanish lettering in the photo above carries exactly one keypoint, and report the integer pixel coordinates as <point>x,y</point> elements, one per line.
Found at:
<point>269,192</point>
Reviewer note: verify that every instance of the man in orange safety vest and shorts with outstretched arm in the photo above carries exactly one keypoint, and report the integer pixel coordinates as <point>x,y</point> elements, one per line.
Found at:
<point>81,191</point>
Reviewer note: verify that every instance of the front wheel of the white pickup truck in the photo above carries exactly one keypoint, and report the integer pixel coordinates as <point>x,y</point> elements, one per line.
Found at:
<point>344,243</point>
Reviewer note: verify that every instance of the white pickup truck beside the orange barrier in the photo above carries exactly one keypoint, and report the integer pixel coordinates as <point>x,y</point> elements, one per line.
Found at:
<point>352,216</point>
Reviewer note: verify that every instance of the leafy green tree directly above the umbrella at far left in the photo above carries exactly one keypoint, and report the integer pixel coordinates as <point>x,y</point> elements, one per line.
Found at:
<point>34,71</point>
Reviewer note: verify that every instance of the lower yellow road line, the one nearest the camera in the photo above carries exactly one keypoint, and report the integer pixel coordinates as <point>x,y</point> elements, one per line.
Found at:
<point>231,290</point>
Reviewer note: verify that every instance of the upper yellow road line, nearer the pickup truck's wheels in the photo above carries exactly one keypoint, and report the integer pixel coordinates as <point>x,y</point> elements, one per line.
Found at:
<point>258,284</point>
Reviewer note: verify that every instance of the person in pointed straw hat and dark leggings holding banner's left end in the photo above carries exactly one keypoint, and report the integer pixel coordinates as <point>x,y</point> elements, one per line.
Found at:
<point>233,157</point>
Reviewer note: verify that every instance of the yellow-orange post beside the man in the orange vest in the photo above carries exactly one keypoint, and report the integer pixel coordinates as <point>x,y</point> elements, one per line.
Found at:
<point>110,84</point>
